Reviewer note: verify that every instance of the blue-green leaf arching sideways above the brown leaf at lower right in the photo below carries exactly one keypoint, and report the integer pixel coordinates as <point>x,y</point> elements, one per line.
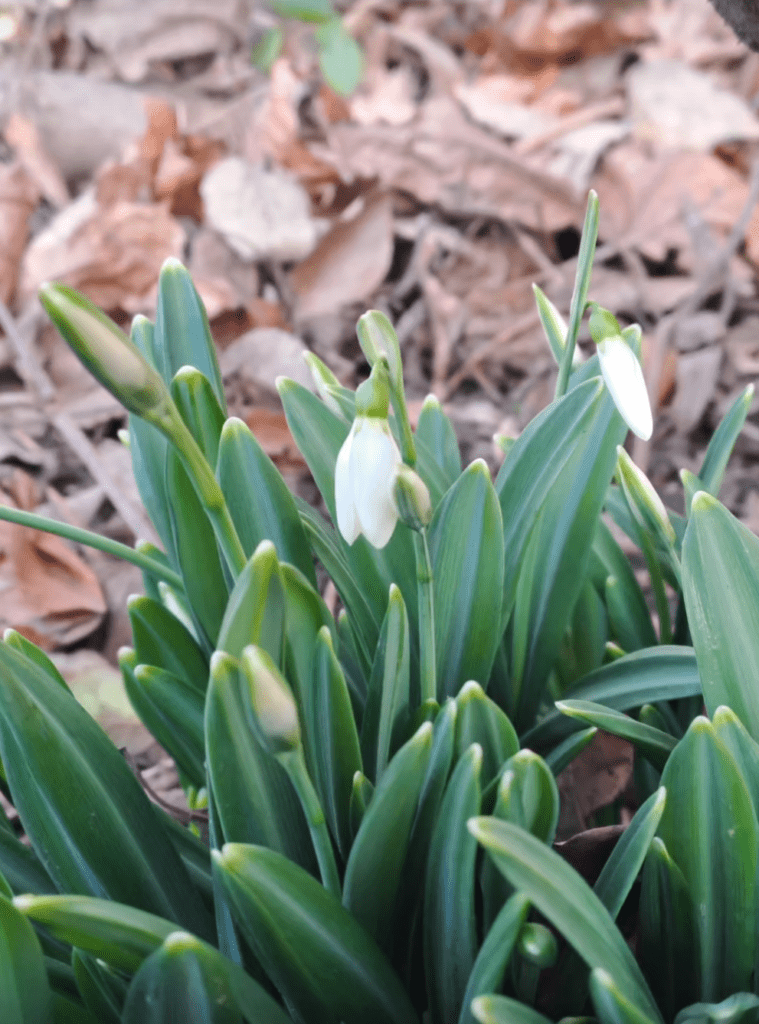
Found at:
<point>645,677</point>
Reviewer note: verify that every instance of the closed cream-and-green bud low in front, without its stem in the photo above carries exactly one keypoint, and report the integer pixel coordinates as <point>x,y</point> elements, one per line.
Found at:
<point>276,715</point>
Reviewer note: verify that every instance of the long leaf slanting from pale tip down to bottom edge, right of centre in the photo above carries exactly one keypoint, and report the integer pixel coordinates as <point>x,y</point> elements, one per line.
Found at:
<point>569,904</point>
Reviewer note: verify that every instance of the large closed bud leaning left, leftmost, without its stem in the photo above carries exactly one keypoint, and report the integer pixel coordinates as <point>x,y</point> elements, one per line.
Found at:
<point>105,351</point>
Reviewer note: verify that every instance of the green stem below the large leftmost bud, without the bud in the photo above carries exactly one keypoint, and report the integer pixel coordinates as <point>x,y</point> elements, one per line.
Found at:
<point>206,486</point>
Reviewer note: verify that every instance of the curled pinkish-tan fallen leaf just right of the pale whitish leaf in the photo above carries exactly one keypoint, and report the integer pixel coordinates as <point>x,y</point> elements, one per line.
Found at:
<point>350,263</point>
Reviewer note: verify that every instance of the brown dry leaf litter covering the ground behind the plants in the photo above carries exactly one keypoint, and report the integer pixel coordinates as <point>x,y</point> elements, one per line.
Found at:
<point>453,179</point>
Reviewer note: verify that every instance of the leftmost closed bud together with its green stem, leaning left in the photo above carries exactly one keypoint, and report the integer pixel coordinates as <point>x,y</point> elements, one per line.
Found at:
<point>119,366</point>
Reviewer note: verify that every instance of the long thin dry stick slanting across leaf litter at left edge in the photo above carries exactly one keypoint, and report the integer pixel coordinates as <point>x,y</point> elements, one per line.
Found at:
<point>35,377</point>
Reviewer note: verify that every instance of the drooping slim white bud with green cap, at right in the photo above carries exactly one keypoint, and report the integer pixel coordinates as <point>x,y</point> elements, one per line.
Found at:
<point>622,372</point>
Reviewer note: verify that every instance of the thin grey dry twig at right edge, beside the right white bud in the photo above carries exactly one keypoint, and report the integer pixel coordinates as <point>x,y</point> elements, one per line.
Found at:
<point>716,270</point>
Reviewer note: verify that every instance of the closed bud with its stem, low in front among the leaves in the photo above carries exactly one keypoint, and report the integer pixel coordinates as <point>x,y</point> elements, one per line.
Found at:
<point>277,726</point>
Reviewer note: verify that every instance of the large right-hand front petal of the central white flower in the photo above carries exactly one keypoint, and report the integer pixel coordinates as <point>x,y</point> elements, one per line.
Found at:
<point>374,458</point>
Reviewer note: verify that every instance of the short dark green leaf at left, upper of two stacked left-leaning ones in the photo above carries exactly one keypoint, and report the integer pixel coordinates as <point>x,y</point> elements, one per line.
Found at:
<point>162,641</point>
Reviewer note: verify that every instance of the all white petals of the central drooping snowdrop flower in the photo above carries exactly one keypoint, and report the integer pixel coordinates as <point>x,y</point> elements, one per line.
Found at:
<point>364,481</point>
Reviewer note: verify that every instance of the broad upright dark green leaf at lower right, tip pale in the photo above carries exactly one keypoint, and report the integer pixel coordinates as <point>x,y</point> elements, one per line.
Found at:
<point>710,830</point>
